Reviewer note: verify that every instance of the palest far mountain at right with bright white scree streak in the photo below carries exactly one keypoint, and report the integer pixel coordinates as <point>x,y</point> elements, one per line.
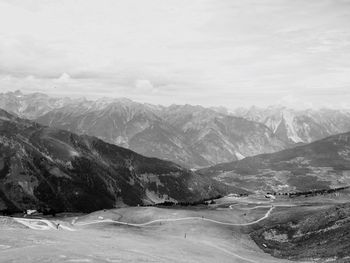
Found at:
<point>304,126</point>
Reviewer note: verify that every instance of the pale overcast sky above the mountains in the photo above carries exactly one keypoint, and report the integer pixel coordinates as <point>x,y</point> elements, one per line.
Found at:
<point>213,53</point>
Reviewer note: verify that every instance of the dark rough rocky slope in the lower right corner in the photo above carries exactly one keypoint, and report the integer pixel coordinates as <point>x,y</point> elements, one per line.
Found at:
<point>312,235</point>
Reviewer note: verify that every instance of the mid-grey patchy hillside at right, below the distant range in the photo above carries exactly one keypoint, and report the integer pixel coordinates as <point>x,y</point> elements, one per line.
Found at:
<point>322,164</point>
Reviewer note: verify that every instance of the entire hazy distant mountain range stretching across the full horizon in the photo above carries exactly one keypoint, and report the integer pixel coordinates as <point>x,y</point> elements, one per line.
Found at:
<point>192,136</point>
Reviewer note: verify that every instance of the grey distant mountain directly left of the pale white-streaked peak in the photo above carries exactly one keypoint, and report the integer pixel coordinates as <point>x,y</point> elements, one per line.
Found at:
<point>221,137</point>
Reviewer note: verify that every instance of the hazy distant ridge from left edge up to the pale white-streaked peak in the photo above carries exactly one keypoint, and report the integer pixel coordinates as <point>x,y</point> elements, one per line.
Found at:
<point>192,136</point>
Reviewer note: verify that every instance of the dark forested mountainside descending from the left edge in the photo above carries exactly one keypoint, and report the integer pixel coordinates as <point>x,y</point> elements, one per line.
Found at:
<point>42,166</point>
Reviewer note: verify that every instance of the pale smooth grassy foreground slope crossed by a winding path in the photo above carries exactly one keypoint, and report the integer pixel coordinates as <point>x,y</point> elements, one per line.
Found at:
<point>182,241</point>
